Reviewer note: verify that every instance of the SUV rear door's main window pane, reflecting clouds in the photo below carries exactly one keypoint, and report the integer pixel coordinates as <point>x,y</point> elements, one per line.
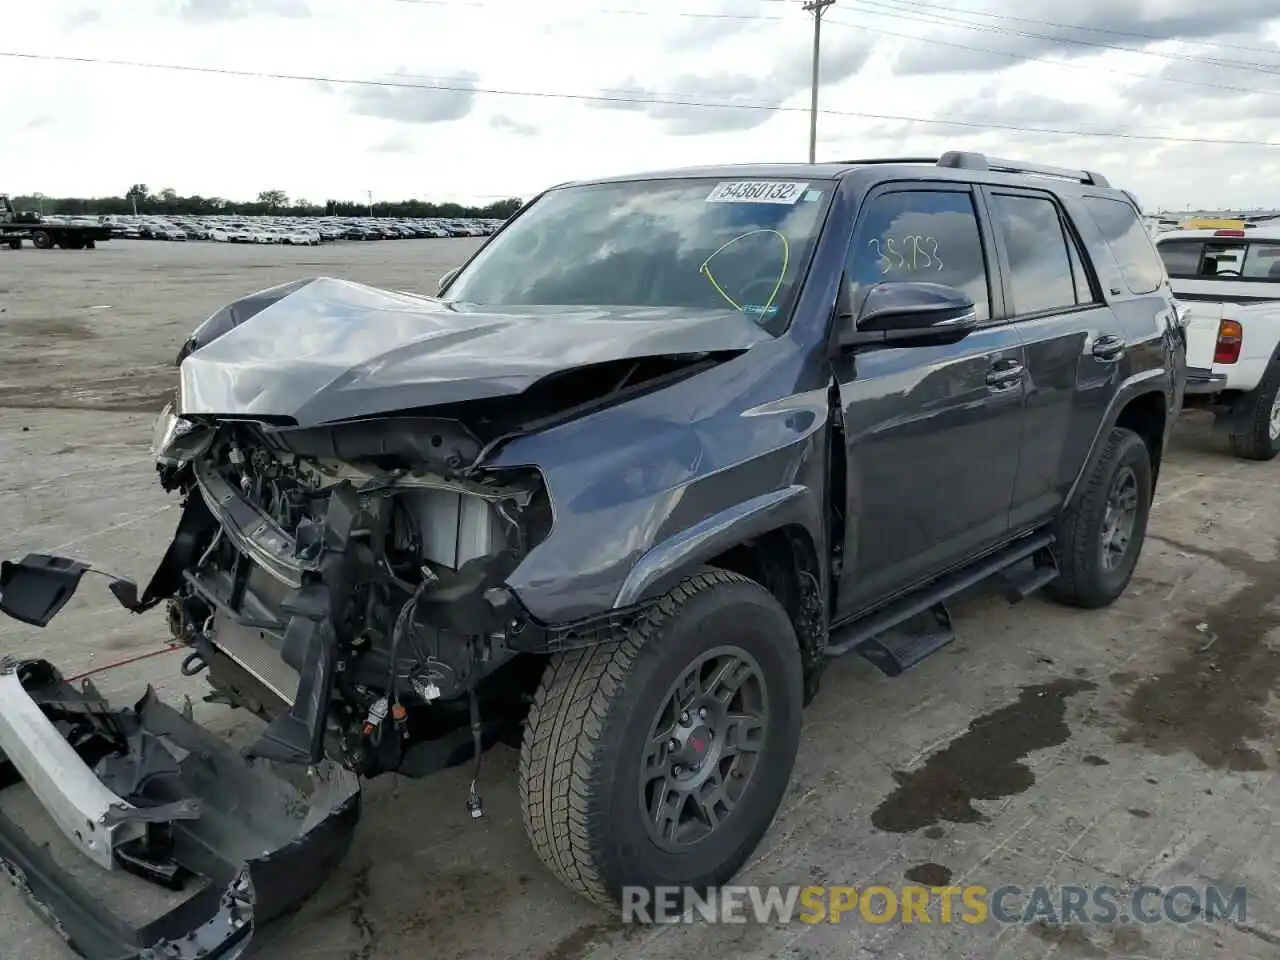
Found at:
<point>1040,254</point>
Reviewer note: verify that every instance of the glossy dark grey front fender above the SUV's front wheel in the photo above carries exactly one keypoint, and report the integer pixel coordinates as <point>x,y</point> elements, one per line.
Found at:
<point>664,479</point>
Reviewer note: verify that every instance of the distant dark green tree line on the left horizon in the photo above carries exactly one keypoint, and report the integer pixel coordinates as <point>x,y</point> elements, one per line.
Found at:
<point>140,199</point>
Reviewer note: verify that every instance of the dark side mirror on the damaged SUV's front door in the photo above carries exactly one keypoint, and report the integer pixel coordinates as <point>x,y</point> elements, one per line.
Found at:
<point>911,313</point>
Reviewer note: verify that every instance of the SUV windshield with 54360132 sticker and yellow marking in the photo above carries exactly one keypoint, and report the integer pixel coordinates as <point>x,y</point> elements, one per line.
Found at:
<point>691,244</point>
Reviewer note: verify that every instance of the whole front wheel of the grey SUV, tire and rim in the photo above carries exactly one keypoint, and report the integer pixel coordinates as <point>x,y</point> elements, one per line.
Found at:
<point>661,758</point>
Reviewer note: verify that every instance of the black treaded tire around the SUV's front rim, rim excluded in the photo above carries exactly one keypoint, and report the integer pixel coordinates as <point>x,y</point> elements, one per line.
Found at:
<point>592,716</point>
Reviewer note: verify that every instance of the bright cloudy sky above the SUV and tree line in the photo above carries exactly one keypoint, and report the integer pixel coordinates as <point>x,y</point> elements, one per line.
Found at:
<point>483,99</point>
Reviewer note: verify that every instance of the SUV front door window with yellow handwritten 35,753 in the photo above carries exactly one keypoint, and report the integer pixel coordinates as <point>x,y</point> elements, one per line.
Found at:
<point>922,236</point>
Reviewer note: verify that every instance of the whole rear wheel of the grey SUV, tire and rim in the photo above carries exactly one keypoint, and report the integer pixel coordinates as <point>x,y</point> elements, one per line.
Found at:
<point>1101,534</point>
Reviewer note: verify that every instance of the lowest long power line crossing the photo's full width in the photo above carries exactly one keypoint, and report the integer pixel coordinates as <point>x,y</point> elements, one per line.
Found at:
<point>468,88</point>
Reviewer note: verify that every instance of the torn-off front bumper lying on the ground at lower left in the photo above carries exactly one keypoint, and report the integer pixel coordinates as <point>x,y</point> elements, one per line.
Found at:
<point>168,802</point>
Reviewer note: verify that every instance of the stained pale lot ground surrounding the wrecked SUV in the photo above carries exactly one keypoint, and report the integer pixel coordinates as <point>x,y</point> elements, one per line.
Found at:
<point>1137,746</point>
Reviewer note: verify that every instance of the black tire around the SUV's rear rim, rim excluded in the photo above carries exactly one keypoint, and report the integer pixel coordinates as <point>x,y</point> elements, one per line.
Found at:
<point>1084,580</point>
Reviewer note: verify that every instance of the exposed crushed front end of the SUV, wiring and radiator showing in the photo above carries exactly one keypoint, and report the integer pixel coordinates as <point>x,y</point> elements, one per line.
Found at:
<point>346,583</point>
